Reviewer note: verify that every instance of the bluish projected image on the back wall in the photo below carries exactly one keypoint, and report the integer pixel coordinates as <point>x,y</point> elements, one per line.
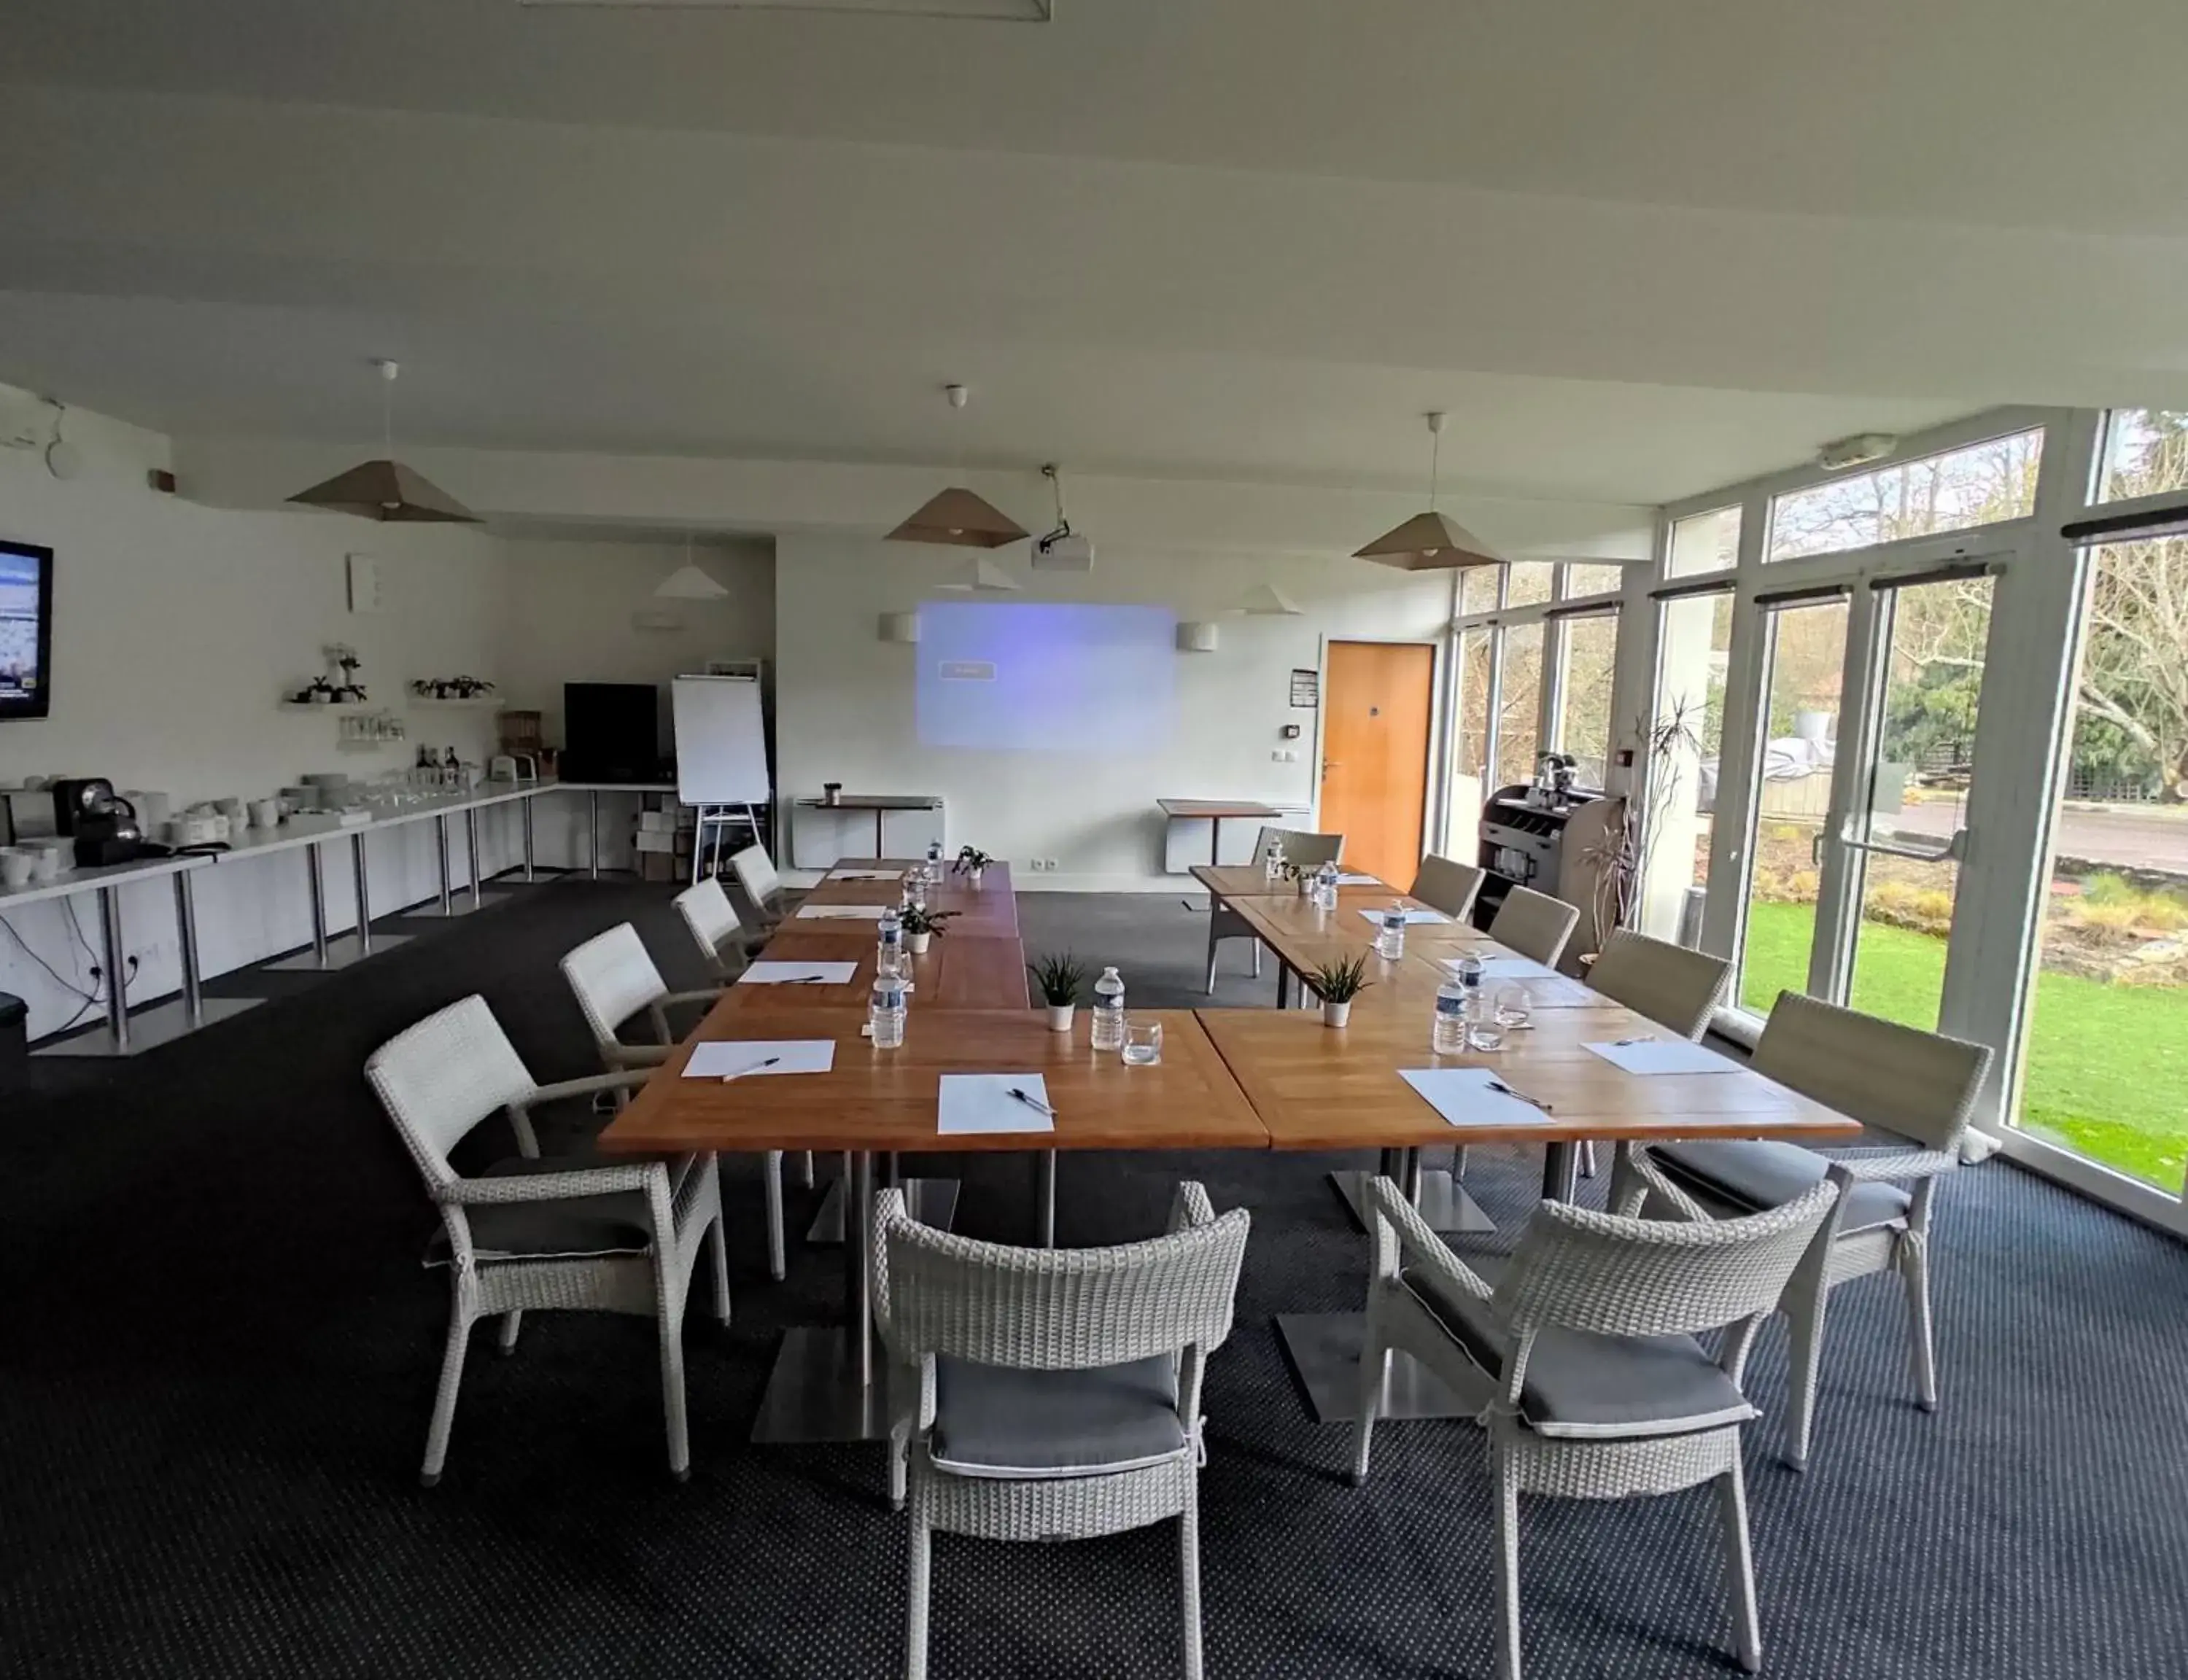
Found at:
<point>1047,677</point>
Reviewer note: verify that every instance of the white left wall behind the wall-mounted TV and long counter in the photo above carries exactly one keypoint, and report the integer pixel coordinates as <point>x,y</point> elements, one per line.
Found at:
<point>176,633</point>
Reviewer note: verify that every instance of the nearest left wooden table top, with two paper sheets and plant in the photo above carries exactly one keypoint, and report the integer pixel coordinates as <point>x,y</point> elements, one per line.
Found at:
<point>887,1099</point>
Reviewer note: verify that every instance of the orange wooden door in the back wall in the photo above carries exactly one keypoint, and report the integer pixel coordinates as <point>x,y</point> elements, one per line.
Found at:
<point>1375,754</point>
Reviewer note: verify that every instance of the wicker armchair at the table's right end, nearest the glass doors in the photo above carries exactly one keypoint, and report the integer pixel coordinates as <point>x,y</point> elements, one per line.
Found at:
<point>1916,1093</point>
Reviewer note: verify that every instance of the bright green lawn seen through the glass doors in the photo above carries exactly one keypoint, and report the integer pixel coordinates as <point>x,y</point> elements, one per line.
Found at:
<point>2108,1066</point>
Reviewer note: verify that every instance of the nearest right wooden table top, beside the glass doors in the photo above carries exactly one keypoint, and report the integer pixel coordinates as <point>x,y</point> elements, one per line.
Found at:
<point>1338,1088</point>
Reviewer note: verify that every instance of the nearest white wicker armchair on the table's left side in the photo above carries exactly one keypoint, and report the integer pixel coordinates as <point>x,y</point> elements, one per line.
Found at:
<point>535,1235</point>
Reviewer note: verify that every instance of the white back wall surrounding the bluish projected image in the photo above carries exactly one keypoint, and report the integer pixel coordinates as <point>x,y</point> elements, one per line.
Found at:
<point>843,705</point>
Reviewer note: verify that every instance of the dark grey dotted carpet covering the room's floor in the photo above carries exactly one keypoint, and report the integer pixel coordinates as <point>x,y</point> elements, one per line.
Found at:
<point>220,1355</point>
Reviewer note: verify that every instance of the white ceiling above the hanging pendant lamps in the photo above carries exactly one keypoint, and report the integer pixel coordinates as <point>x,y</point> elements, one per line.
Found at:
<point>1633,250</point>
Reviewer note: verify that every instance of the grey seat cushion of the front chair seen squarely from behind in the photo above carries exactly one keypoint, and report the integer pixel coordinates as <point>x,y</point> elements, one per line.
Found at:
<point>1025,1425</point>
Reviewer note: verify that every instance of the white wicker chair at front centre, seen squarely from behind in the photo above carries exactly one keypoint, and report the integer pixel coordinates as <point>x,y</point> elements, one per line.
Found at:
<point>1051,1392</point>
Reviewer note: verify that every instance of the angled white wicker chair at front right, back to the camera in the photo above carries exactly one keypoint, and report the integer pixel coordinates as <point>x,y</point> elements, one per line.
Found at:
<point>1587,1362</point>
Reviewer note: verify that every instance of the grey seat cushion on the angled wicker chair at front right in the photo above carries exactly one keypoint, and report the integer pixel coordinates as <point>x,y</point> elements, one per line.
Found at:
<point>1590,1388</point>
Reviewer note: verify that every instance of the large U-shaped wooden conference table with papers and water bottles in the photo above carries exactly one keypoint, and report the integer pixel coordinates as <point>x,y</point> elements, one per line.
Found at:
<point>1266,1080</point>
